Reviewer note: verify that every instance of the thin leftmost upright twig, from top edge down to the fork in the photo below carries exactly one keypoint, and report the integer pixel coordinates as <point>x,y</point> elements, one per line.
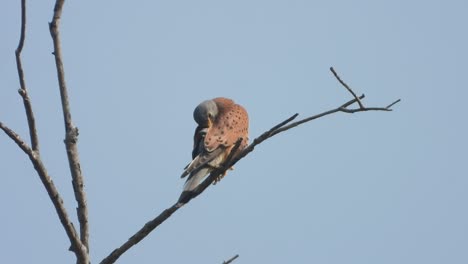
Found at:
<point>23,90</point>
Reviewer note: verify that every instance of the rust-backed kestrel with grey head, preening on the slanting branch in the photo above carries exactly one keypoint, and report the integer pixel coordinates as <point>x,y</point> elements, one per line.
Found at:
<point>220,124</point>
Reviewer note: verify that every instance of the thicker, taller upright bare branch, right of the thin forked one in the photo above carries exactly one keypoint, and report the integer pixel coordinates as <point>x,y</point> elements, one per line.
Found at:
<point>71,132</point>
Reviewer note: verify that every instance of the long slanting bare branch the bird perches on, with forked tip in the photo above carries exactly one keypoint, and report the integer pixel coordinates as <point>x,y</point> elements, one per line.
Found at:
<point>233,159</point>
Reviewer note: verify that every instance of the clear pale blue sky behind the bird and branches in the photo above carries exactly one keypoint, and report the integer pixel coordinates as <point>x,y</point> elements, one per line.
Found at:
<point>363,188</point>
